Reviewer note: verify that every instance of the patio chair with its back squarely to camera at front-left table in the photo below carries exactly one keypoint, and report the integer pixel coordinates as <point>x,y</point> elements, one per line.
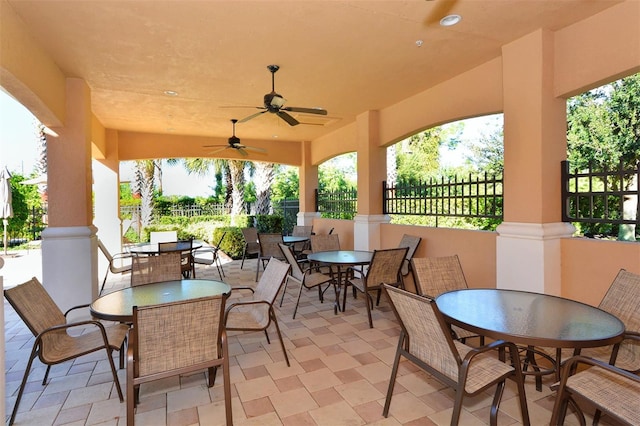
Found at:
<point>178,338</point>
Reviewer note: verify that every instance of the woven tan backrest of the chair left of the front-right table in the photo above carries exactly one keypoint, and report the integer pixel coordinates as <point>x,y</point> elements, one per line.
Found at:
<point>423,324</point>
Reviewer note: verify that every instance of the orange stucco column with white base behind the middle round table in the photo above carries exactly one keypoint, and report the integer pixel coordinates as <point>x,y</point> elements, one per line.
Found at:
<point>372,171</point>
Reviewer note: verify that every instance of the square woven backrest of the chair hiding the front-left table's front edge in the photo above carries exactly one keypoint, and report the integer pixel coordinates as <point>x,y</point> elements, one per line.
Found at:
<point>177,335</point>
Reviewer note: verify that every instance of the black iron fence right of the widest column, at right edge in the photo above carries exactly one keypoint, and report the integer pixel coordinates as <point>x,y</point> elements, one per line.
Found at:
<point>601,196</point>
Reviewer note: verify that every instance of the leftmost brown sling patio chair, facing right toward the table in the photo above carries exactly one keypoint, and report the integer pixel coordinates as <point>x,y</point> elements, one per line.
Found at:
<point>53,344</point>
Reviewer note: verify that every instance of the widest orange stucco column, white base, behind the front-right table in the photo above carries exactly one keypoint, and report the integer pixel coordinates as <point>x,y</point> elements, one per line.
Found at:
<point>528,244</point>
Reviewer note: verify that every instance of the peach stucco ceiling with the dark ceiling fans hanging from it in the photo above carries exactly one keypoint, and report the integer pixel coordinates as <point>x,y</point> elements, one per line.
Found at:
<point>345,56</point>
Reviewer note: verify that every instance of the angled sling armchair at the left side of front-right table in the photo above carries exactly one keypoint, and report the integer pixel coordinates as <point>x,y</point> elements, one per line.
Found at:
<point>426,341</point>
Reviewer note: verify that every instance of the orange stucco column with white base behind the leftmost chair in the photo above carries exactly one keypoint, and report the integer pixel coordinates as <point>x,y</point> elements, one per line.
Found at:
<point>69,256</point>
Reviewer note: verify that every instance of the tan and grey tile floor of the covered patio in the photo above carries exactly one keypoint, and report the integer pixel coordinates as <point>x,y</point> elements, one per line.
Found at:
<point>338,376</point>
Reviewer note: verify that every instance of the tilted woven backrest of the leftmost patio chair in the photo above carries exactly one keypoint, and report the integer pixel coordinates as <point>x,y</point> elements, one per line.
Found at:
<point>35,306</point>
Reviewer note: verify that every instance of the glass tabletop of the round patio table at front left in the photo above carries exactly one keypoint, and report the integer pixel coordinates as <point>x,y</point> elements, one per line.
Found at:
<point>118,306</point>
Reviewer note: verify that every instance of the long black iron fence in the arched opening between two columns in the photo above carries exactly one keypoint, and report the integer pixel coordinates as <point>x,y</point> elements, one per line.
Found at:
<point>471,197</point>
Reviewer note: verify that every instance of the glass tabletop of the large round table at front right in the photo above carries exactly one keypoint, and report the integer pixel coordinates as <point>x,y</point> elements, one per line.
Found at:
<point>532,319</point>
